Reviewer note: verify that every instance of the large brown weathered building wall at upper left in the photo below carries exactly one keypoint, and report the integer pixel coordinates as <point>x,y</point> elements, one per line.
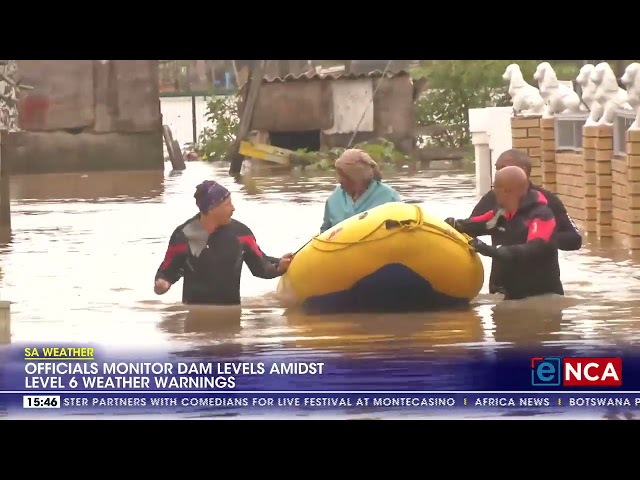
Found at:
<point>87,115</point>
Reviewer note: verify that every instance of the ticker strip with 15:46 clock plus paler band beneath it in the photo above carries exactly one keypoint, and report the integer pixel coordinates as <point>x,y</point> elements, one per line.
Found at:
<point>201,404</point>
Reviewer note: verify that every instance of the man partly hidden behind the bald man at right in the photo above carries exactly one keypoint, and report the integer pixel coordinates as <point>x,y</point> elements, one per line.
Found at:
<point>566,236</point>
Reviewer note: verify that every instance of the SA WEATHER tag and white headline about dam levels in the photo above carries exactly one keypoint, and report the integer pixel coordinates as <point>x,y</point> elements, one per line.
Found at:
<point>77,368</point>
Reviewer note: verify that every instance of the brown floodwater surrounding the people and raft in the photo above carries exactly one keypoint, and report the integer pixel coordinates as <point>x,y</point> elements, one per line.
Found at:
<point>84,249</point>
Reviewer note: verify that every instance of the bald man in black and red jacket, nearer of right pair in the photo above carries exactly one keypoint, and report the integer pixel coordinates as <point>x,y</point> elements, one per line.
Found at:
<point>528,257</point>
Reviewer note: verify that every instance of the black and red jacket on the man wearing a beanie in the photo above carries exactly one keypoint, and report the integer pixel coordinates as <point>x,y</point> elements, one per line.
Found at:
<point>211,264</point>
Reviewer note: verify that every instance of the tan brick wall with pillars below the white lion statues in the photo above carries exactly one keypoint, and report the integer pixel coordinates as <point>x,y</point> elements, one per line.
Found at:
<point>600,191</point>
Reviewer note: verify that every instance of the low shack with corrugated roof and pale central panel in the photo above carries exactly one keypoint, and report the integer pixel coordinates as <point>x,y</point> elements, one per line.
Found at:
<point>318,111</point>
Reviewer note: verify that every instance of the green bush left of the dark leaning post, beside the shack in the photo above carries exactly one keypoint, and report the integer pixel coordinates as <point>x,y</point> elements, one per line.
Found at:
<point>216,139</point>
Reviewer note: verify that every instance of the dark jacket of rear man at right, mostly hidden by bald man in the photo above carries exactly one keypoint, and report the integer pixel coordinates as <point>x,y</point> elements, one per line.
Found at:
<point>566,236</point>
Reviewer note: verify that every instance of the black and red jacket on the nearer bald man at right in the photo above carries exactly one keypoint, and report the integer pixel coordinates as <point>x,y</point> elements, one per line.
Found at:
<point>528,234</point>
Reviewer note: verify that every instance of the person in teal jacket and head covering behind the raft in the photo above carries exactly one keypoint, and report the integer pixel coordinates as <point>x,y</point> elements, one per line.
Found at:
<point>360,188</point>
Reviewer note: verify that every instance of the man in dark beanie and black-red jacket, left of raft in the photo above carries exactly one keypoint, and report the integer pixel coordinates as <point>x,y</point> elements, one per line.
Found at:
<point>209,249</point>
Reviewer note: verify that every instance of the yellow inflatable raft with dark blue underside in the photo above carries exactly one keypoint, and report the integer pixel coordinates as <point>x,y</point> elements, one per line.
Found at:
<point>394,257</point>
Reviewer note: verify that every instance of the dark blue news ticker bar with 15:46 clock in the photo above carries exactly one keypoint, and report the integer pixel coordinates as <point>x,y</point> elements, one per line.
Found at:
<point>319,400</point>
